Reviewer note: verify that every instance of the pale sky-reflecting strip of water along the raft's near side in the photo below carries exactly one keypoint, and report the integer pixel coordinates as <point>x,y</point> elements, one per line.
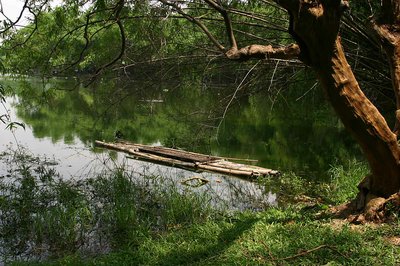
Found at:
<point>75,159</point>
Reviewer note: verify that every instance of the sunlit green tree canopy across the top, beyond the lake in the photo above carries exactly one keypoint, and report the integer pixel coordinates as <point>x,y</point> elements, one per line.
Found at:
<point>89,36</point>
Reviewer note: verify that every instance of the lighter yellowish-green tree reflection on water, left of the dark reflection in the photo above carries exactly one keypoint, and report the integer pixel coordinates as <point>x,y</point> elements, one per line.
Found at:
<point>143,114</point>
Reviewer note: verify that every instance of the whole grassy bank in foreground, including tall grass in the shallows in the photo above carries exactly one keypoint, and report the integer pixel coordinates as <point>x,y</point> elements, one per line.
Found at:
<point>114,219</point>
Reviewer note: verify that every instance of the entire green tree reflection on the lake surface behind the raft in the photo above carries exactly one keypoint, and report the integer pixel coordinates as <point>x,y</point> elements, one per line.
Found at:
<point>289,128</point>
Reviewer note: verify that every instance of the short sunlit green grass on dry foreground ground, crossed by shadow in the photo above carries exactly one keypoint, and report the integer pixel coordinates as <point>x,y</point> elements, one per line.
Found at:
<point>269,238</point>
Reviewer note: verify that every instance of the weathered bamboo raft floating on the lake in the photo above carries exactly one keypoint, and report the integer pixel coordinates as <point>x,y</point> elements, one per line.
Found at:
<point>187,160</point>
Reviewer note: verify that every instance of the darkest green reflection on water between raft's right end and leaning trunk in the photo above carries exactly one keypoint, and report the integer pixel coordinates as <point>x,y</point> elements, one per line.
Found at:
<point>299,135</point>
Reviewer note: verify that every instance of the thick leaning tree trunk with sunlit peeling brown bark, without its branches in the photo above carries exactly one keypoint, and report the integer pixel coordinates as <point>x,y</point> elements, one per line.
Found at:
<point>315,26</point>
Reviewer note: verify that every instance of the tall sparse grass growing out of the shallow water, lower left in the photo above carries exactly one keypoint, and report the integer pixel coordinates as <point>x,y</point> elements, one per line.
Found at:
<point>43,216</point>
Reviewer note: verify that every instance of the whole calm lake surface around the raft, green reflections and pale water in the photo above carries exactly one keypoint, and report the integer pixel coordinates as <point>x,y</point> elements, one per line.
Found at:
<point>291,131</point>
